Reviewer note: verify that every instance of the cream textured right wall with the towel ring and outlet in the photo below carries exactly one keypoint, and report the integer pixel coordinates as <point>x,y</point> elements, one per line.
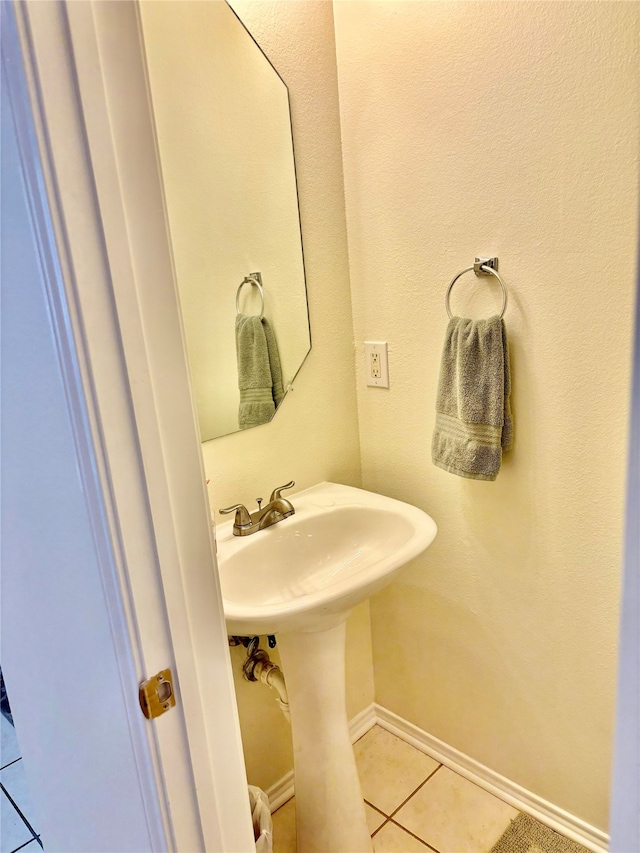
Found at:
<point>503,128</point>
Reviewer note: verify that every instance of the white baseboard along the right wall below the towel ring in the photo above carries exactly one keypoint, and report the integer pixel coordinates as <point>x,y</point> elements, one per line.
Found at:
<point>511,793</point>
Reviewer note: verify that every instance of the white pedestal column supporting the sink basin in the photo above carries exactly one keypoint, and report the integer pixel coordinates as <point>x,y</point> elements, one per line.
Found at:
<point>330,814</point>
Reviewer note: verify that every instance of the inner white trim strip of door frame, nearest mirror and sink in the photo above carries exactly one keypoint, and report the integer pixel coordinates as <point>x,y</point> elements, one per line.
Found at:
<point>108,57</point>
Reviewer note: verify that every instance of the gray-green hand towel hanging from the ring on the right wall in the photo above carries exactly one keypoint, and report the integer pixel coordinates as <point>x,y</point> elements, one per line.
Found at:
<point>473,411</point>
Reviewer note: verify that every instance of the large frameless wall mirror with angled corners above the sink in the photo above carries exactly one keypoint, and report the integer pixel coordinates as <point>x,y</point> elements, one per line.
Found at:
<point>226,153</point>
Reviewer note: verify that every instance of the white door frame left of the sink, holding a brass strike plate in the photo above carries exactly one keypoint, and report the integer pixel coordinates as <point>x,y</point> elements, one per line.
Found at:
<point>115,313</point>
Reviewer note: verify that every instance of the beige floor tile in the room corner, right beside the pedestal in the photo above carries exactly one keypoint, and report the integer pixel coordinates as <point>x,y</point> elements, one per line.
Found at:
<point>390,769</point>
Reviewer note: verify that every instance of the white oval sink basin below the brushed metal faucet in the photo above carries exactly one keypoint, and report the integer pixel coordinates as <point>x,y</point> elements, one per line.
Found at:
<point>342,545</point>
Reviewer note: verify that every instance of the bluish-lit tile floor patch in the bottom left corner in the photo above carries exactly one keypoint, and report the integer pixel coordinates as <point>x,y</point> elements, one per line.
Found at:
<point>16,812</point>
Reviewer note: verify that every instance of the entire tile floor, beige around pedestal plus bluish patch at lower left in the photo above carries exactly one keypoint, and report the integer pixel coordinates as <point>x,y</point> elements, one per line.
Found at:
<point>413,804</point>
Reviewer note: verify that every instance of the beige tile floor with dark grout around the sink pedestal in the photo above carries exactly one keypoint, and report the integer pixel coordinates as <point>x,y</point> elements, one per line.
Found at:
<point>413,803</point>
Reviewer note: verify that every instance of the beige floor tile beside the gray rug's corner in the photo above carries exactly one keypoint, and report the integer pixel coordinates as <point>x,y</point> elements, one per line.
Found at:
<point>454,815</point>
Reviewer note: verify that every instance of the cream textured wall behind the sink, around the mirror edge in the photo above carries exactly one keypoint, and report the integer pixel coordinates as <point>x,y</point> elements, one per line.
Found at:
<point>314,435</point>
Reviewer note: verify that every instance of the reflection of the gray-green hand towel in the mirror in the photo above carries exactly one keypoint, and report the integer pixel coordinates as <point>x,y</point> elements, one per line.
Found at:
<point>259,371</point>
